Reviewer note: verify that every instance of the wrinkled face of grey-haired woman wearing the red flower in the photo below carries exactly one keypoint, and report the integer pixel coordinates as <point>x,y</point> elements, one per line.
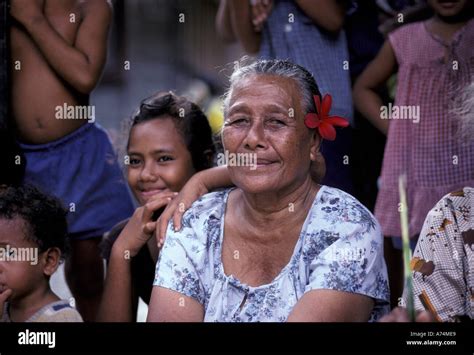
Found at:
<point>265,118</point>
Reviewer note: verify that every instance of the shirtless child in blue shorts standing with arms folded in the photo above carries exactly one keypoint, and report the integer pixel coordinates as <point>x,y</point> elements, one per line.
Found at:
<point>58,51</point>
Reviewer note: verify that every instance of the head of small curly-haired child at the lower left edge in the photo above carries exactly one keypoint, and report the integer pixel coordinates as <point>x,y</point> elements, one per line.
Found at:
<point>33,232</point>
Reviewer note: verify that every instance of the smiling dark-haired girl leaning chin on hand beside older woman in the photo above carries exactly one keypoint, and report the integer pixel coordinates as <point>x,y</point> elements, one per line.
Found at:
<point>170,139</point>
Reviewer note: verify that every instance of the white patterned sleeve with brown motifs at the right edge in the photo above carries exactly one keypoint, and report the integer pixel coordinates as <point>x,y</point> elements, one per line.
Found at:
<point>437,264</point>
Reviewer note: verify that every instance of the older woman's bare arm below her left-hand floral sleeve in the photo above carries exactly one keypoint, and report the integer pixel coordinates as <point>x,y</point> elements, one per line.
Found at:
<point>171,306</point>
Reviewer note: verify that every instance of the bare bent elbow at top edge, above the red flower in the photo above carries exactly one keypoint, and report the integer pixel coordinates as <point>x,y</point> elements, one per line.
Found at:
<point>327,14</point>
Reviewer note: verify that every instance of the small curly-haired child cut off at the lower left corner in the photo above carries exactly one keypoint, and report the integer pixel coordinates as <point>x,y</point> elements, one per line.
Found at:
<point>33,236</point>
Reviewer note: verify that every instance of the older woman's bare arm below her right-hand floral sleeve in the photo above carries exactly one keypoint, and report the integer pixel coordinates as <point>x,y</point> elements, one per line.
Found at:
<point>332,306</point>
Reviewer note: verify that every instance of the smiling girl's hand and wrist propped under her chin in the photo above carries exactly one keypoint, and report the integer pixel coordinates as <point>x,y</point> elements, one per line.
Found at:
<point>140,227</point>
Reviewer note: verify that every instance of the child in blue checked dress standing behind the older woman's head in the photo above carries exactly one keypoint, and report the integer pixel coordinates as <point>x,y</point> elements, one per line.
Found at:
<point>309,33</point>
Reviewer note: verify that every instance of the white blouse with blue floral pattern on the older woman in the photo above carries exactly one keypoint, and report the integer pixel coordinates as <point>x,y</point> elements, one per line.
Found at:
<point>340,248</point>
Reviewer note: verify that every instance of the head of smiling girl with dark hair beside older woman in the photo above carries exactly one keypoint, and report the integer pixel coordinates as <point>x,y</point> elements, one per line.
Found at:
<point>169,141</point>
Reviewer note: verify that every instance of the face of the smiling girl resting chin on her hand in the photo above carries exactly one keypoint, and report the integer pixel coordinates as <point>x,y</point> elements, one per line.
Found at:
<point>159,159</point>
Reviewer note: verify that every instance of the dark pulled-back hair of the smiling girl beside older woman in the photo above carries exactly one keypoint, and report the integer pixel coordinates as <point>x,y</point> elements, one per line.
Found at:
<point>189,119</point>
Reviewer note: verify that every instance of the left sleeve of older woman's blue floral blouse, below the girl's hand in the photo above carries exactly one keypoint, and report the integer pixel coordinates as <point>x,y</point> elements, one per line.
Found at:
<point>176,268</point>
